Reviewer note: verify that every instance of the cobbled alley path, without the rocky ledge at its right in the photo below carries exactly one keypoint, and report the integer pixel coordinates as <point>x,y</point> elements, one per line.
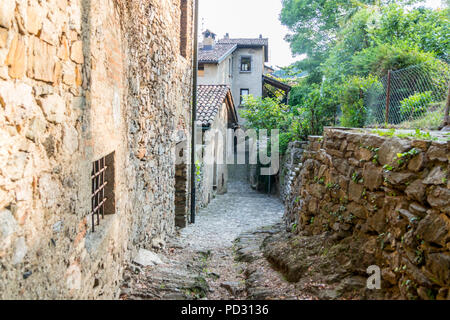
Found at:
<point>218,257</point>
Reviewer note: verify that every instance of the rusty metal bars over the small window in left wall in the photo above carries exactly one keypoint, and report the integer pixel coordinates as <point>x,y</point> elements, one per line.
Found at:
<point>98,198</point>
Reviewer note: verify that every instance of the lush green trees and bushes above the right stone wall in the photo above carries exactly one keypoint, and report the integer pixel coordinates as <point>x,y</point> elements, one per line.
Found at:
<point>350,45</point>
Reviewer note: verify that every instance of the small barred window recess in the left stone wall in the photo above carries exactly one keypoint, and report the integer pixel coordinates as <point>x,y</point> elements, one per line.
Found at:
<point>102,196</point>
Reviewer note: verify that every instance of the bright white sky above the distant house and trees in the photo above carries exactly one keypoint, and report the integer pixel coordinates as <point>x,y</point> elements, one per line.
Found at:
<point>249,19</point>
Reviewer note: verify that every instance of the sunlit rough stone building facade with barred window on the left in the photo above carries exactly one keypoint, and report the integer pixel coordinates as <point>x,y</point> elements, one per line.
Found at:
<point>83,85</point>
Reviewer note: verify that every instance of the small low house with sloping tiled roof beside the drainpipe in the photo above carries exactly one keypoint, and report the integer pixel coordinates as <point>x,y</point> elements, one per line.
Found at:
<point>215,114</point>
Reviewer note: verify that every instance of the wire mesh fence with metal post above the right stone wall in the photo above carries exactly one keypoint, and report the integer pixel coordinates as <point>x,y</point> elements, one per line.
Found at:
<point>409,98</point>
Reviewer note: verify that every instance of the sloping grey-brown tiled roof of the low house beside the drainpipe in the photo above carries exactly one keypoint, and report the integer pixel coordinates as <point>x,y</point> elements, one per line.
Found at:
<point>209,101</point>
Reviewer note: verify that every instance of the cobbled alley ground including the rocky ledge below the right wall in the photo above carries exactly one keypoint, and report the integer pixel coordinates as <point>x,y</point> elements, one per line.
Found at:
<point>226,254</point>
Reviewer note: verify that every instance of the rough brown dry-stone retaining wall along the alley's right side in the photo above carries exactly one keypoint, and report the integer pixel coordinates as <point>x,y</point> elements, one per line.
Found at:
<point>387,203</point>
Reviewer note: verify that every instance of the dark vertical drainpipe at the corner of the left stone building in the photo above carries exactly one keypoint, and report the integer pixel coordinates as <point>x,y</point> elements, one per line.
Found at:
<point>194,110</point>
